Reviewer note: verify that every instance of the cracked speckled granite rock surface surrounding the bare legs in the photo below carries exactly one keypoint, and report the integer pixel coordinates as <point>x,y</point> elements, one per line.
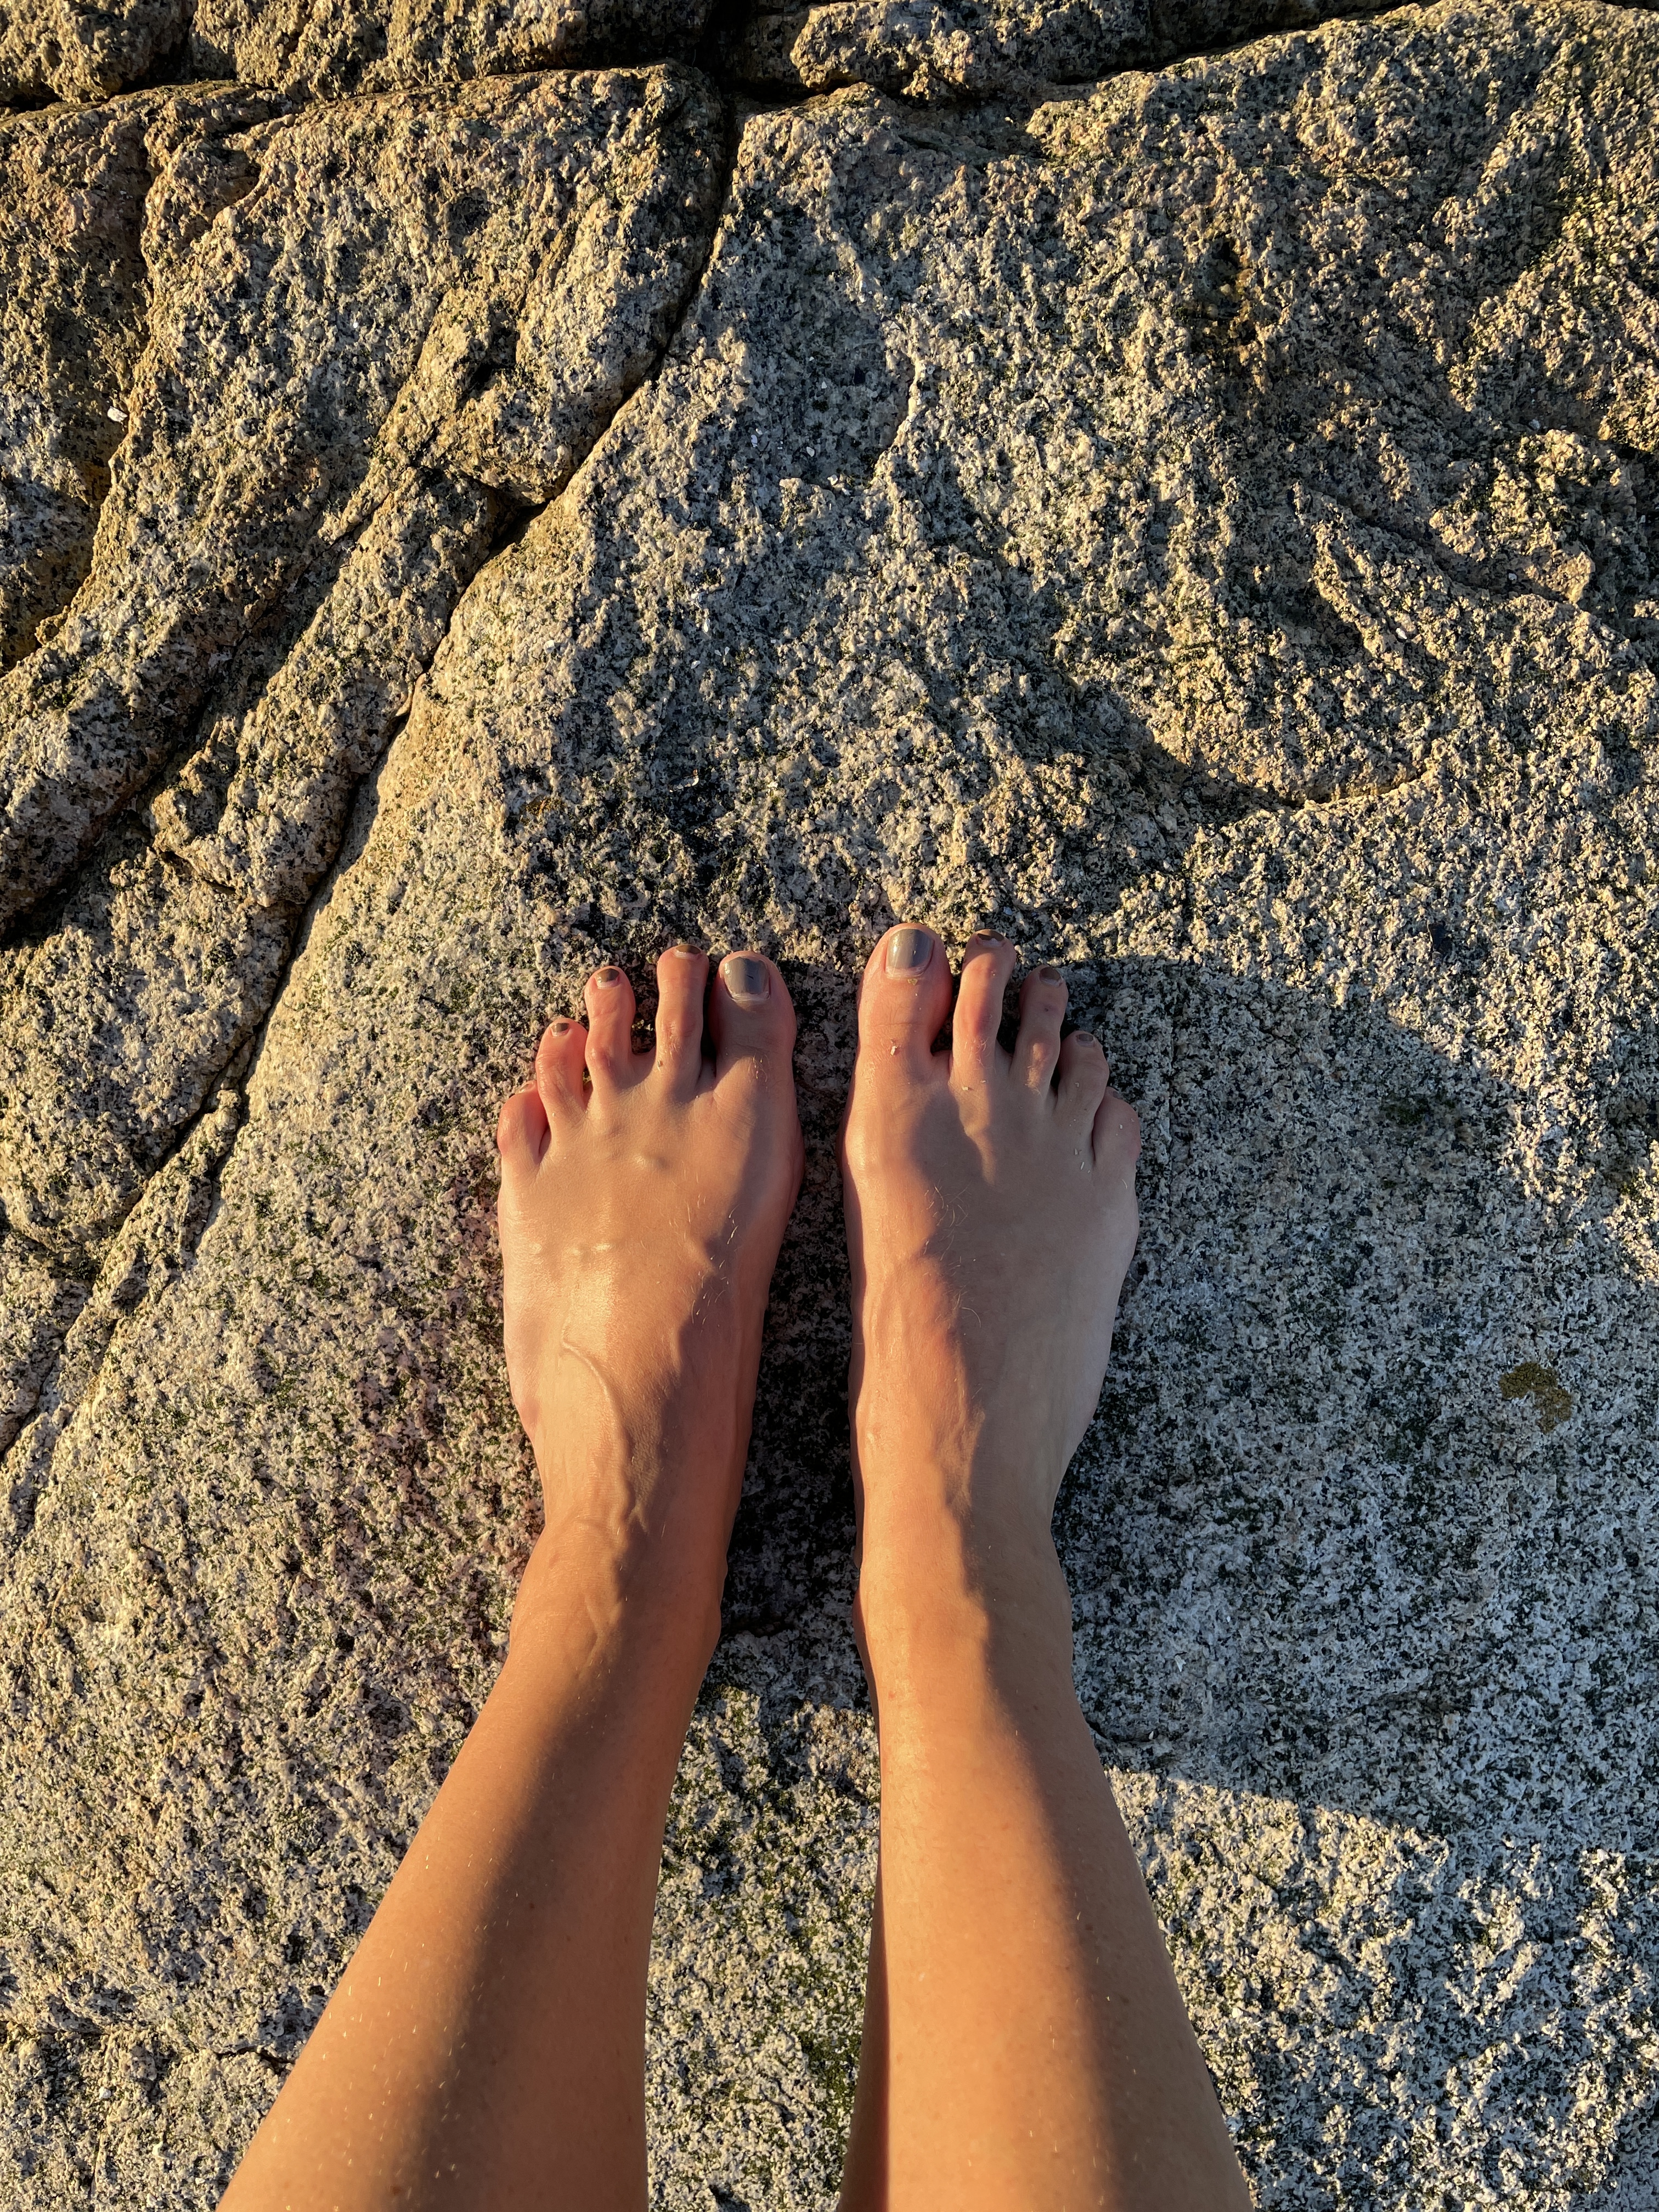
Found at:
<point>1202,519</point>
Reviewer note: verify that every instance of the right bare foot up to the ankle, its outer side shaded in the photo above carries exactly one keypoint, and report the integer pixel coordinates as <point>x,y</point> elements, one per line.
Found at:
<point>990,1222</point>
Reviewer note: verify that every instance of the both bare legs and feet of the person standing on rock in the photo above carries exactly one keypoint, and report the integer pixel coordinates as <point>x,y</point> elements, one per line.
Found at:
<point>1023,2036</point>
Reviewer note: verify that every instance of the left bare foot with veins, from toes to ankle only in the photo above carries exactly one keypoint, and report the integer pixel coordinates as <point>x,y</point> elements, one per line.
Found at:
<point>643,1207</point>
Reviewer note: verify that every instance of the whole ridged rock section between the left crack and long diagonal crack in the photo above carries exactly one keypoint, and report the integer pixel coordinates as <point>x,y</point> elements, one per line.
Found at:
<point>304,490</point>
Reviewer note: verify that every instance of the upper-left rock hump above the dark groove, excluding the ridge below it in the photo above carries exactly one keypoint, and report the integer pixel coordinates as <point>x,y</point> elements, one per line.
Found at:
<point>322,340</point>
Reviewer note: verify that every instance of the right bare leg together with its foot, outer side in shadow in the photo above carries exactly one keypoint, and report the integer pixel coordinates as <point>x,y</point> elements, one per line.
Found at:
<point>1025,2043</point>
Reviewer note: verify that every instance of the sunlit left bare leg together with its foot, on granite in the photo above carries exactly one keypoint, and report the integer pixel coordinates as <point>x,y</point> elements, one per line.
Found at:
<point>486,2045</point>
